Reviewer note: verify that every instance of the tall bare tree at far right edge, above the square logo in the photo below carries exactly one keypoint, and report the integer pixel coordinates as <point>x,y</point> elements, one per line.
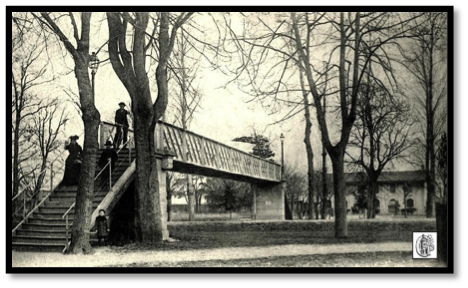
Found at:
<point>426,59</point>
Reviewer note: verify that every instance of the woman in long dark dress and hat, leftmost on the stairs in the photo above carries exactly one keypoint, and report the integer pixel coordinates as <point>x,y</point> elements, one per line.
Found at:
<point>73,162</point>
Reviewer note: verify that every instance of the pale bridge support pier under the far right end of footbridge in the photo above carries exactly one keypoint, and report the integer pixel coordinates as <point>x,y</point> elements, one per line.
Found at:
<point>269,201</point>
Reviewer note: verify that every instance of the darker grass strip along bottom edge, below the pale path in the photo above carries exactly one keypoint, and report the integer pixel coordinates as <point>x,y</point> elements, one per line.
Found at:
<point>374,259</point>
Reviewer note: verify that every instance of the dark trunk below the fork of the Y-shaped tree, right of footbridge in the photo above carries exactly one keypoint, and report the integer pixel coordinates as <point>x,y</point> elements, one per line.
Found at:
<point>341,225</point>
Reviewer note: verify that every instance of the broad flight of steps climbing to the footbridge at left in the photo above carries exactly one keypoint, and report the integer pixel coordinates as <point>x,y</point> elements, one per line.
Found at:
<point>45,230</point>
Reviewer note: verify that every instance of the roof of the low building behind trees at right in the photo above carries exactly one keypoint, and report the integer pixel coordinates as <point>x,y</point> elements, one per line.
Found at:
<point>388,177</point>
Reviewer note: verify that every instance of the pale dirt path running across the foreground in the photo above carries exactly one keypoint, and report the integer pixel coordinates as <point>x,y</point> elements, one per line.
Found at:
<point>105,256</point>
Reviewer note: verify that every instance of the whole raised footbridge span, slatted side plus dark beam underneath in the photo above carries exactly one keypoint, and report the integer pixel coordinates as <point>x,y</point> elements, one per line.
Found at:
<point>199,155</point>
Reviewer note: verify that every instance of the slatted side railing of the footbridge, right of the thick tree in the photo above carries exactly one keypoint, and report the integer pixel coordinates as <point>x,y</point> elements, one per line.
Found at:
<point>195,149</point>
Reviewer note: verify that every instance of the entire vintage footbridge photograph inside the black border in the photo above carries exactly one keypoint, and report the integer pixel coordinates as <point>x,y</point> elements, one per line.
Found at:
<point>229,139</point>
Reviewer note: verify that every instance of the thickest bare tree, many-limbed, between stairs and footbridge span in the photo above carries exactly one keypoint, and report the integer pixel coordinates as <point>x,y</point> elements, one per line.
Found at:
<point>130,67</point>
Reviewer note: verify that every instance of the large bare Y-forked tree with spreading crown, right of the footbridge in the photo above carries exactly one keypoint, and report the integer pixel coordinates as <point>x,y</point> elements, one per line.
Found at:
<point>351,42</point>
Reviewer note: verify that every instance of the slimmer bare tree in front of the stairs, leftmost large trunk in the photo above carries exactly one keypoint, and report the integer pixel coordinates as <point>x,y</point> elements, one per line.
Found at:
<point>78,48</point>
